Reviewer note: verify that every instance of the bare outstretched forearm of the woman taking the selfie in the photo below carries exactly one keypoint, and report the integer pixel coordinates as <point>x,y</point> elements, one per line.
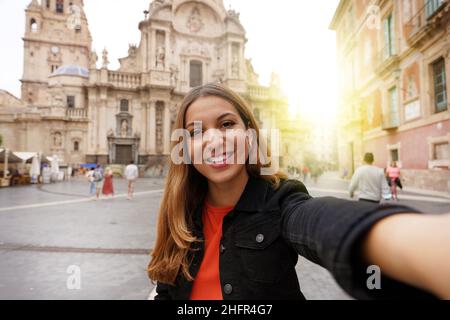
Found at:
<point>414,249</point>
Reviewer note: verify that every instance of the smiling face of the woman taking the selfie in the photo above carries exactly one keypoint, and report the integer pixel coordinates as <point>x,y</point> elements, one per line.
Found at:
<point>216,129</point>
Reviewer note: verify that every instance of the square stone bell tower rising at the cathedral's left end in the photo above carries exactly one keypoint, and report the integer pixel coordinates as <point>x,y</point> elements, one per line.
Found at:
<point>56,35</point>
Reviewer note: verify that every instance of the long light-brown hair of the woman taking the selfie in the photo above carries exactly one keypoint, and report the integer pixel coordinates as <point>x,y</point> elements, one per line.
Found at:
<point>184,190</point>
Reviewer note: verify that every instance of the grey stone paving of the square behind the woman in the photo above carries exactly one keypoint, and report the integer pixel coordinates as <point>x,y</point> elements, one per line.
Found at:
<point>46,231</point>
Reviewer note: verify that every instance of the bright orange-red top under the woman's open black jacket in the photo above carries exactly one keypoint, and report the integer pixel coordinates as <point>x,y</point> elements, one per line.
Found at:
<point>207,282</point>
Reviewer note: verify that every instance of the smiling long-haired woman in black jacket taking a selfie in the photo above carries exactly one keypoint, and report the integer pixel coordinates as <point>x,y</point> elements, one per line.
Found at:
<point>227,231</point>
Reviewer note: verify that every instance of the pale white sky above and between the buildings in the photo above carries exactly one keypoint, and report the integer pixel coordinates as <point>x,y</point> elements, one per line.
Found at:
<point>289,37</point>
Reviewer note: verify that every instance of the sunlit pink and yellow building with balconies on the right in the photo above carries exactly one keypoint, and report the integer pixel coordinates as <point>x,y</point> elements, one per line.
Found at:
<point>394,83</point>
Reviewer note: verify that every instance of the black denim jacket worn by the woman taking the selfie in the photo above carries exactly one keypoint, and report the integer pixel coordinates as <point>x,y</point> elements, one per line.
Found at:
<point>268,229</point>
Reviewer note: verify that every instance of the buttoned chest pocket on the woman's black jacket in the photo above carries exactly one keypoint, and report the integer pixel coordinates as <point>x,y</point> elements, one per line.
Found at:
<point>262,250</point>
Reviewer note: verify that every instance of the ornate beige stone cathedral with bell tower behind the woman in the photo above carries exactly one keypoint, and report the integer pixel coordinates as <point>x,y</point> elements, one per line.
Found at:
<point>74,106</point>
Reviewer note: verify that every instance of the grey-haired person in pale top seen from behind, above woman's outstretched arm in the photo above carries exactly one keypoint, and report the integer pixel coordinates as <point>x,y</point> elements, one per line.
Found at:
<point>370,181</point>
